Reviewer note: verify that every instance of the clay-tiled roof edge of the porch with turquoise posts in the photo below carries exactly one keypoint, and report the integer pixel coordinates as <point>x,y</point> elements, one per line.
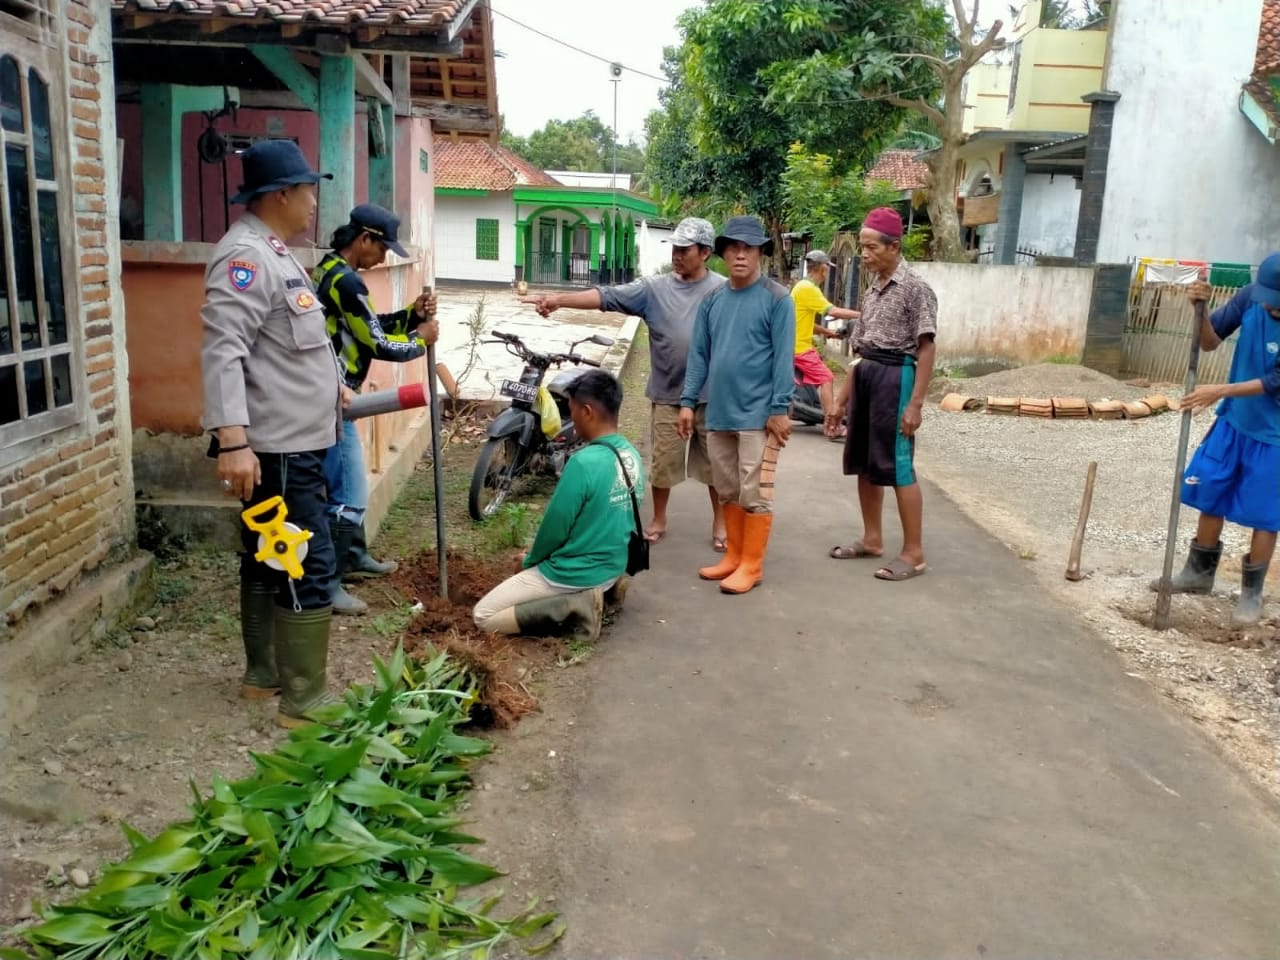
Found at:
<point>424,15</point>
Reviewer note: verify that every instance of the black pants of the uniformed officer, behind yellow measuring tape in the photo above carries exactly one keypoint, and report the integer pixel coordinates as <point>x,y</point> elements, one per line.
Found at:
<point>300,479</point>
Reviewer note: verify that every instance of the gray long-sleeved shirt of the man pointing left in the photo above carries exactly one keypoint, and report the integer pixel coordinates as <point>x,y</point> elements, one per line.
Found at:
<point>670,308</point>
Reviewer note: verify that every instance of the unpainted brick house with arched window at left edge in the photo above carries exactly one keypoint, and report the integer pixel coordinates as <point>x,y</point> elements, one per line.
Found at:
<point>66,481</point>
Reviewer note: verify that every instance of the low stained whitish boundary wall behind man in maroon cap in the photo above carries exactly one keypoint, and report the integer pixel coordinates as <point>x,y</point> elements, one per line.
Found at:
<point>1009,314</point>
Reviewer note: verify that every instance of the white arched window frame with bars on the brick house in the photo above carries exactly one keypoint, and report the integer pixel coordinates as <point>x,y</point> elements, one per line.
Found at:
<point>38,42</point>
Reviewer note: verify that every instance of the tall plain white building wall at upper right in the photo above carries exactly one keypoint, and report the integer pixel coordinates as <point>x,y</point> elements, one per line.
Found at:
<point>1190,177</point>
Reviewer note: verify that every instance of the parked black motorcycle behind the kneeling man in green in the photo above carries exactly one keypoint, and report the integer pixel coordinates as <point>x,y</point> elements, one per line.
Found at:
<point>519,445</point>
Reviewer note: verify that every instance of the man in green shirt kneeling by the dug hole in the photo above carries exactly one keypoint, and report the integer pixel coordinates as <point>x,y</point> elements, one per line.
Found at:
<point>580,551</point>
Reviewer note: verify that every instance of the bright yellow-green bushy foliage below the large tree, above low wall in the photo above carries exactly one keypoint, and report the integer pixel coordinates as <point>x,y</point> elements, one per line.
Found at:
<point>819,198</point>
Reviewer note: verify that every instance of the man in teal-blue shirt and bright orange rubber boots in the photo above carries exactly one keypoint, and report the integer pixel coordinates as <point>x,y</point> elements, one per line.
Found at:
<point>742,351</point>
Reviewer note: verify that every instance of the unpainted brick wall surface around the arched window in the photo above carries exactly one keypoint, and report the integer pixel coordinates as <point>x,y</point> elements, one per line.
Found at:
<point>67,506</point>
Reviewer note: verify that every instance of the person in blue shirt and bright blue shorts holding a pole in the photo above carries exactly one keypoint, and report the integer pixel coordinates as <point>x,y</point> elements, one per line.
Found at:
<point>1236,472</point>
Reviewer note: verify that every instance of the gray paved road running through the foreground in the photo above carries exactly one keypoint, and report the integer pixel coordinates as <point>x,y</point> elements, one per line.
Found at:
<point>836,767</point>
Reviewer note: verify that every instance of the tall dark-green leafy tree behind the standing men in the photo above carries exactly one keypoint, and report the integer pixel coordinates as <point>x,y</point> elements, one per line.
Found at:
<point>734,107</point>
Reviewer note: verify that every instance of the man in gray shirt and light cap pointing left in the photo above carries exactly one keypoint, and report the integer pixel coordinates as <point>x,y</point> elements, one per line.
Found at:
<point>669,305</point>
